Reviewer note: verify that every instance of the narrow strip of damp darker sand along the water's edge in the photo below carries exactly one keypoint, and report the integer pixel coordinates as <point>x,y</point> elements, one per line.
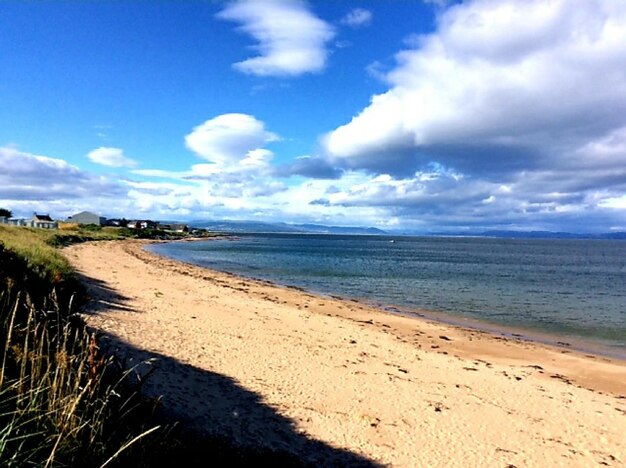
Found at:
<point>561,343</point>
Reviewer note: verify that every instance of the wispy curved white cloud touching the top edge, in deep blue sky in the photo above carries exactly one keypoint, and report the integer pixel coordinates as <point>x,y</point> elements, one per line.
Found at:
<point>291,39</point>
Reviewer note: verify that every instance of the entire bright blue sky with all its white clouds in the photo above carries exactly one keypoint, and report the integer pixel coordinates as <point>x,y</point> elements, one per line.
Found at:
<point>422,115</point>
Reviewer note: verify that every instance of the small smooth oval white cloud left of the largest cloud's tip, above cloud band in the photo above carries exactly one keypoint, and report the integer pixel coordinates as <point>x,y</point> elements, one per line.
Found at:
<point>230,138</point>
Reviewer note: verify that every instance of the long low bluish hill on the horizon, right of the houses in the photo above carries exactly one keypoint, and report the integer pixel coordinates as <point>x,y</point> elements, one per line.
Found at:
<point>256,226</point>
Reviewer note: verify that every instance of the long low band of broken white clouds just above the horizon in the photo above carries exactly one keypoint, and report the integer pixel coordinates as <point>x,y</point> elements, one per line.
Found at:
<point>436,198</point>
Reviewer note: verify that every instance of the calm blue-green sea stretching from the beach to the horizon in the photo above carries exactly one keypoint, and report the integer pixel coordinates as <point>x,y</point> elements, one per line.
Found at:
<point>563,288</point>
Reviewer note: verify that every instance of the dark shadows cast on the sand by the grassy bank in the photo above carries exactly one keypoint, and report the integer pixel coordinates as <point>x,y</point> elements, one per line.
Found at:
<point>218,413</point>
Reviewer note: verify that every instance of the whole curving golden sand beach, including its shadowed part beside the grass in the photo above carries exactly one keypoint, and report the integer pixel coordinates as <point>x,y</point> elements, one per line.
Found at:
<point>337,382</point>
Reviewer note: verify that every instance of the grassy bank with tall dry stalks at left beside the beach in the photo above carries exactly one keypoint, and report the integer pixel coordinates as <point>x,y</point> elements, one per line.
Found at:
<point>61,402</point>
